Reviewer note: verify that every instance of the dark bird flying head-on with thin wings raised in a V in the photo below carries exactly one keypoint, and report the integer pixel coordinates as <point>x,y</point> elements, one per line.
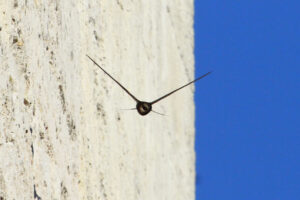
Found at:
<point>143,107</point>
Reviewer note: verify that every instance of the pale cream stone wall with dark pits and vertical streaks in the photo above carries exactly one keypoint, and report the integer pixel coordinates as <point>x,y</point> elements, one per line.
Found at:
<point>63,133</point>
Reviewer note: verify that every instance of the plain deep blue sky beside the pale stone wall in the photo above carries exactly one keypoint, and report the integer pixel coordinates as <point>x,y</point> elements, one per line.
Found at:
<point>247,110</point>
